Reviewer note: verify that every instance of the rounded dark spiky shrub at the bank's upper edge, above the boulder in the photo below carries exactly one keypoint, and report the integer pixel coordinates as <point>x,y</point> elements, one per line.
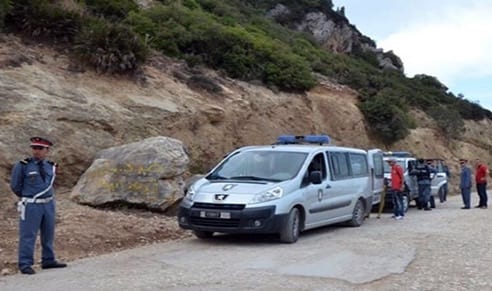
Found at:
<point>110,47</point>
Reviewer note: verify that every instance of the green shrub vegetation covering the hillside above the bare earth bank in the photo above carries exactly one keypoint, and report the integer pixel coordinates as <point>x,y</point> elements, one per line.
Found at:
<point>236,38</point>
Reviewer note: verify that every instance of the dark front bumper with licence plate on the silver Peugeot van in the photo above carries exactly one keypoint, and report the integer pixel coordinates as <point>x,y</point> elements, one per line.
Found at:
<point>208,217</point>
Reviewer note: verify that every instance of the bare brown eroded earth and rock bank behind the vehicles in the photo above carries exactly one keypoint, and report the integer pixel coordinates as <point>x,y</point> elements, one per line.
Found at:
<point>43,93</point>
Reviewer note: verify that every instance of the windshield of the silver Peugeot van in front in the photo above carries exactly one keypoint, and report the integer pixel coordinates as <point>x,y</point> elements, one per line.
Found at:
<point>260,165</point>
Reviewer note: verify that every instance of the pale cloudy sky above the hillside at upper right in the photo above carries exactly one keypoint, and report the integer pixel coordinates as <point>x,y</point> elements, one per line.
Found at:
<point>448,39</point>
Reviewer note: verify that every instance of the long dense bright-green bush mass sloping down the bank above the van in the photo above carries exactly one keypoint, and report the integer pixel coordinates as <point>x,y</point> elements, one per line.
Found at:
<point>241,53</point>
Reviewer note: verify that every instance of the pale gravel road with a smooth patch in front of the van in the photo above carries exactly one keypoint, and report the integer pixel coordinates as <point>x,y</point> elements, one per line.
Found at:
<point>443,249</point>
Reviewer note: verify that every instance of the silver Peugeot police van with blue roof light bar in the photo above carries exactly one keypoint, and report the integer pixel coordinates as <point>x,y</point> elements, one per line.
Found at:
<point>296,184</point>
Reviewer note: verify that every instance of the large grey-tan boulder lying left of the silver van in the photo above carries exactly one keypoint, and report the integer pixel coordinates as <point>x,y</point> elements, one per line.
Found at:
<point>147,173</point>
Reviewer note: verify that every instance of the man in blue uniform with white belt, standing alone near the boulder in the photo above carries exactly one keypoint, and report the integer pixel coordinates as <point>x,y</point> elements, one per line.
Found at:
<point>32,181</point>
